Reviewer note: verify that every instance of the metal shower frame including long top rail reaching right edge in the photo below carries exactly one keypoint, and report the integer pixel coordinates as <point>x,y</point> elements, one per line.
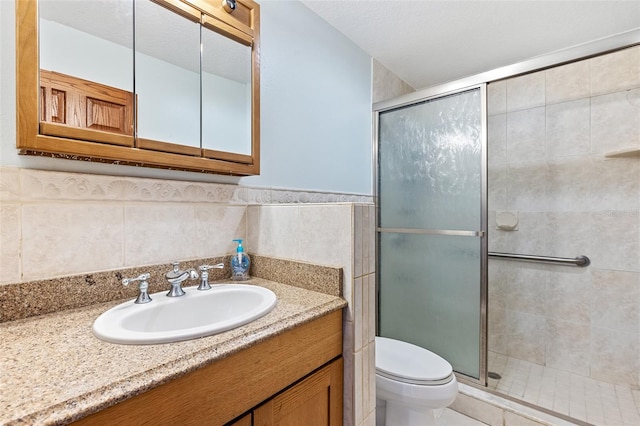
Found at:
<point>573,54</point>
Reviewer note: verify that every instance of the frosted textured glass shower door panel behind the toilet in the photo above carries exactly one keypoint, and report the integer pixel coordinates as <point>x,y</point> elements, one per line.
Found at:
<point>431,226</point>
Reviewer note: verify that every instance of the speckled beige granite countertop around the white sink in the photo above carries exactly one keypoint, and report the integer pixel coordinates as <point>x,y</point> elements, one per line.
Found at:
<point>54,371</point>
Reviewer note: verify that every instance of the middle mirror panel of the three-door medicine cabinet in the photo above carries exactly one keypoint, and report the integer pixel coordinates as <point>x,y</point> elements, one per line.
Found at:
<point>167,73</point>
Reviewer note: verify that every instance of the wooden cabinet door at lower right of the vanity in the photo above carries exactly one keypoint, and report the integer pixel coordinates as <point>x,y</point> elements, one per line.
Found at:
<point>315,401</point>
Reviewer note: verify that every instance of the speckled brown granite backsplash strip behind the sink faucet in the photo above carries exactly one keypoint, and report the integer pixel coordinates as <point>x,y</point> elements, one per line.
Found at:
<point>32,298</point>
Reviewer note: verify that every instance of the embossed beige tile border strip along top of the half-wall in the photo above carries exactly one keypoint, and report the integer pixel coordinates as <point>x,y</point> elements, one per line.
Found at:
<point>34,185</point>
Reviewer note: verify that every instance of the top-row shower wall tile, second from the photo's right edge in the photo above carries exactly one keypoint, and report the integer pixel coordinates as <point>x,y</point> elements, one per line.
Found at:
<point>568,82</point>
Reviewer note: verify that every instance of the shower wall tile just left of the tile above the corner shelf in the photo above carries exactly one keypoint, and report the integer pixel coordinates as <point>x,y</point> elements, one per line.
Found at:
<point>568,128</point>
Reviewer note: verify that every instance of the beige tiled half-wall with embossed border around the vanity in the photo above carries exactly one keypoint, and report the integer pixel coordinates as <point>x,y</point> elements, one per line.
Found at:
<point>55,224</point>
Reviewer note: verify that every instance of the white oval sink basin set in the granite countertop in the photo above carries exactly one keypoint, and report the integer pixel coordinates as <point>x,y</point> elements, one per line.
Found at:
<point>196,314</point>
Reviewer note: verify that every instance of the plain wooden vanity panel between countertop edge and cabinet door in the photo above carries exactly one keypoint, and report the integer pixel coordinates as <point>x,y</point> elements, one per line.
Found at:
<point>223,390</point>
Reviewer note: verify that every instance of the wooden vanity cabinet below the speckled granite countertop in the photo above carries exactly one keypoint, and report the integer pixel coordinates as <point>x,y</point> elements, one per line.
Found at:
<point>293,378</point>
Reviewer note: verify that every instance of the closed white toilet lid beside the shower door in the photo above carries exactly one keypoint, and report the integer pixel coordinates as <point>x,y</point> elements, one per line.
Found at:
<point>409,363</point>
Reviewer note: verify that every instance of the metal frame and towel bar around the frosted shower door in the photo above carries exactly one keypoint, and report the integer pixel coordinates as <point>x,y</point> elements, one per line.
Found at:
<point>429,95</point>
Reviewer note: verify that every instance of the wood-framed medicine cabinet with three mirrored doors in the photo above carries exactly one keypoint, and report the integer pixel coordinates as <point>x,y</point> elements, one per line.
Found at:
<point>190,90</point>
